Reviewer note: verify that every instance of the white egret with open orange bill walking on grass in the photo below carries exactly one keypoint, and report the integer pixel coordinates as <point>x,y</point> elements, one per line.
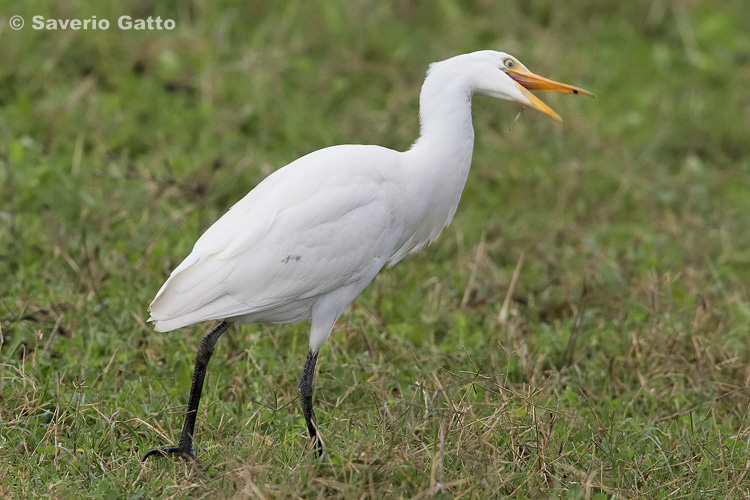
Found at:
<point>312,235</point>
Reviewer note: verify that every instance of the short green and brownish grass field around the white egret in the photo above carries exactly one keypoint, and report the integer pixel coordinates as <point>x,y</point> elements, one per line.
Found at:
<point>620,367</point>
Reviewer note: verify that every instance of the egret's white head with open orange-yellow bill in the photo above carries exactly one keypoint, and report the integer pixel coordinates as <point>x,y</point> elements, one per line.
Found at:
<point>497,74</point>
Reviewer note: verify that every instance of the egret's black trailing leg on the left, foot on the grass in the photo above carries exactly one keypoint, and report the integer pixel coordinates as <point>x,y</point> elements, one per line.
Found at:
<point>184,448</point>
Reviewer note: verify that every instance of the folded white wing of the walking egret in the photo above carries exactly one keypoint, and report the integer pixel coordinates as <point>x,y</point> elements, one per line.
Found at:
<point>308,229</point>
